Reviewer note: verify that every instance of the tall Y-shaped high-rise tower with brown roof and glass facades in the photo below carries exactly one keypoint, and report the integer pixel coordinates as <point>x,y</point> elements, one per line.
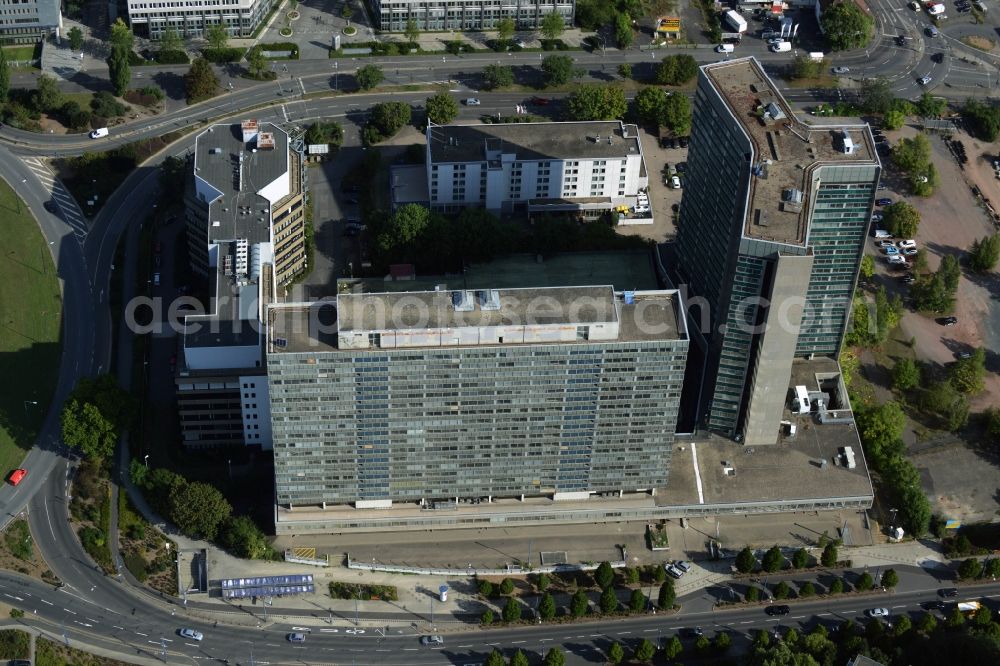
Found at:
<point>770,239</point>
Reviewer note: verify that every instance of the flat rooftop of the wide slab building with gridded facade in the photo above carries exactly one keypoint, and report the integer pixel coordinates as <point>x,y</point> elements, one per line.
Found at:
<point>304,327</point>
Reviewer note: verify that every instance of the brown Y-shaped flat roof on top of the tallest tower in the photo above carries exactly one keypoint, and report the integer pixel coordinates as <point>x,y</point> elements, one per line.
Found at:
<point>786,149</point>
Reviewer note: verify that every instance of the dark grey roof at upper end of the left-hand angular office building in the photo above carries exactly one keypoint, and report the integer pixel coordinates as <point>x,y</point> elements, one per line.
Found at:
<point>240,212</point>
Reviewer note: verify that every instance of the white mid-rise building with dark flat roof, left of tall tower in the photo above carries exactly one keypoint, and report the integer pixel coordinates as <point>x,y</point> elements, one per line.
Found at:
<point>587,167</point>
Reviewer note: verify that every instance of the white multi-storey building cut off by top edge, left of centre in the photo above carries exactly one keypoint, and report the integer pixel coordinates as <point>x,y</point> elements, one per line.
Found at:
<point>190,18</point>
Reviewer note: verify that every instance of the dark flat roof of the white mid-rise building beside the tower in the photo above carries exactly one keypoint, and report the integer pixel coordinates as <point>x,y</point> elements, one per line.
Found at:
<point>534,141</point>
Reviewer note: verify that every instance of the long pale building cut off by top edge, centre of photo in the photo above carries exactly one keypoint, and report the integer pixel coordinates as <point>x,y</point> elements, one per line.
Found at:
<point>392,15</point>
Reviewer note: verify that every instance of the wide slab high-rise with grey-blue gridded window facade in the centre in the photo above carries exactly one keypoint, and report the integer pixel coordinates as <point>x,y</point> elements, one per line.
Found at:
<point>421,409</point>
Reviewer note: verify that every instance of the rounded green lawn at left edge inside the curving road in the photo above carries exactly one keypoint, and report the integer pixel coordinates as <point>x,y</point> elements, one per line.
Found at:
<point>30,320</point>
